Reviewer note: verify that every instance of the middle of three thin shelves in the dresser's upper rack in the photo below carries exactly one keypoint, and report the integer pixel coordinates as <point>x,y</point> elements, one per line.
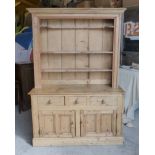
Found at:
<point>77,52</point>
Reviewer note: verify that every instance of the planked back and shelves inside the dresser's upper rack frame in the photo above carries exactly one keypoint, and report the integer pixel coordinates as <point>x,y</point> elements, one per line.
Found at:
<point>85,36</point>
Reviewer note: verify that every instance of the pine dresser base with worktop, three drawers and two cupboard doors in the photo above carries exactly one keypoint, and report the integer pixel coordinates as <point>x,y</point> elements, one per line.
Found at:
<point>68,115</point>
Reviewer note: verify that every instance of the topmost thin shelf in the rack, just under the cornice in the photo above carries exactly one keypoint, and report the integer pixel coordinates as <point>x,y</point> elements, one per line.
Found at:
<point>77,28</point>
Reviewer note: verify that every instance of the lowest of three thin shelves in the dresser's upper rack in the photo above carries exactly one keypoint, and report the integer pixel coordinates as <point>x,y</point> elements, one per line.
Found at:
<point>76,70</point>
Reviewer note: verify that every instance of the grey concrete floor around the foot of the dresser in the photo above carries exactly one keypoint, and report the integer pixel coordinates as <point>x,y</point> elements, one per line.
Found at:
<point>24,144</point>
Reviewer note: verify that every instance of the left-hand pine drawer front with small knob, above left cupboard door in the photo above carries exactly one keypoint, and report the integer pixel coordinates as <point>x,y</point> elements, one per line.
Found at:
<point>51,100</point>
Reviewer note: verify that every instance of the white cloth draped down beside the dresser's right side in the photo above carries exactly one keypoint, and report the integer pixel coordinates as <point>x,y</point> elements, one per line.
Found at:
<point>129,82</point>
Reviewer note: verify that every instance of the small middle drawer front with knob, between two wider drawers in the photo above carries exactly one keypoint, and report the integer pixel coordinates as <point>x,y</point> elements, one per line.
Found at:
<point>76,100</point>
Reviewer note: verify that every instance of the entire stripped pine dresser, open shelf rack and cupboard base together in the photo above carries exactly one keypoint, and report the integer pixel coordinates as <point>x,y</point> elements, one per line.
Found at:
<point>76,99</point>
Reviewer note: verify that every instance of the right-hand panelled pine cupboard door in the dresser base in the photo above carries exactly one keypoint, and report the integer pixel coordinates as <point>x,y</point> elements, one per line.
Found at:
<point>98,123</point>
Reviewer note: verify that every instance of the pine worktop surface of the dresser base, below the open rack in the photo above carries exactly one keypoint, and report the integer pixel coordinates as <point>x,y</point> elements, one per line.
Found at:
<point>76,89</point>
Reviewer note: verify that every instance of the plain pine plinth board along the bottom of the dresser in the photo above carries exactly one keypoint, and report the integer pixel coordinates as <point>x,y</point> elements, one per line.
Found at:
<point>77,141</point>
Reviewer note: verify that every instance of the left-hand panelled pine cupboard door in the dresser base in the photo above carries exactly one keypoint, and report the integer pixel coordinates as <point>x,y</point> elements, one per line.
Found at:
<point>57,123</point>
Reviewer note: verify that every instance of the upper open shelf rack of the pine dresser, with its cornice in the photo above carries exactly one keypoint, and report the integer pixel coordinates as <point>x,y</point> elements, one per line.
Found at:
<point>59,34</point>
